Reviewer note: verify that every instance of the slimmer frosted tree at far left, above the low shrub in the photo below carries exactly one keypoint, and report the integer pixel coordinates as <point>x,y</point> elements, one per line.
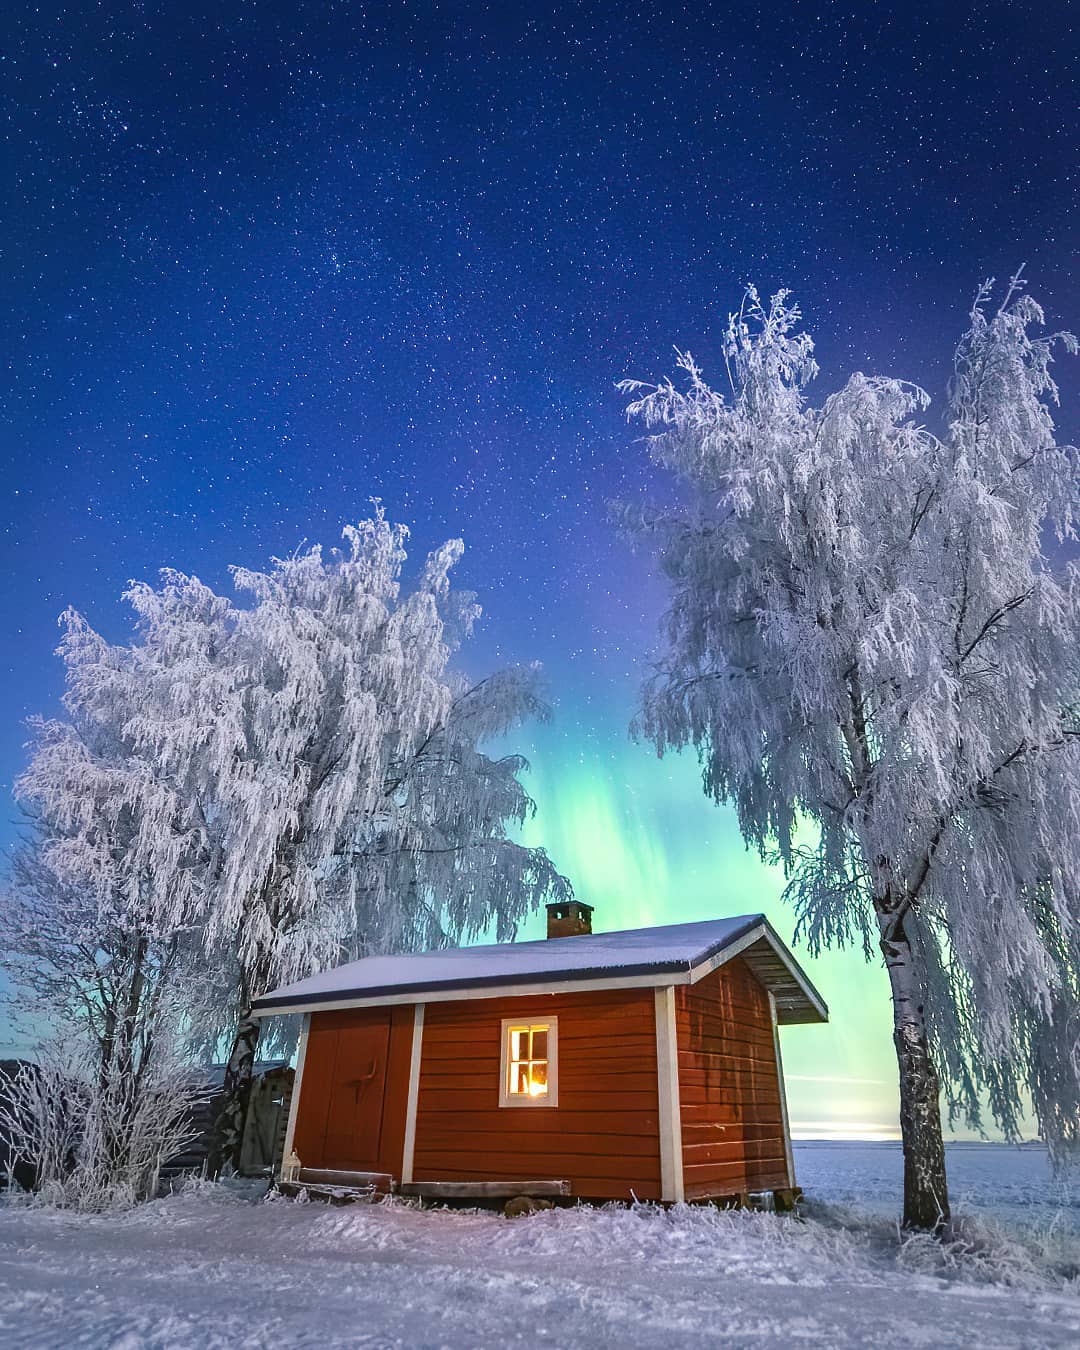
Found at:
<point>107,890</point>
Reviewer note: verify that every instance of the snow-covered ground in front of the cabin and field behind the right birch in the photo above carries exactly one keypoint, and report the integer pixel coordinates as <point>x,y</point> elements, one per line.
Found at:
<point>211,1268</point>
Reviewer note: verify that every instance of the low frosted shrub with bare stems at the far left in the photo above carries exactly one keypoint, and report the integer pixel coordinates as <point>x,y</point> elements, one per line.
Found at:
<point>97,1139</point>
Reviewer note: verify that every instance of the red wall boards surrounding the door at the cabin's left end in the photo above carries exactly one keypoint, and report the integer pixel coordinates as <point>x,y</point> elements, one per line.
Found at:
<point>319,1073</point>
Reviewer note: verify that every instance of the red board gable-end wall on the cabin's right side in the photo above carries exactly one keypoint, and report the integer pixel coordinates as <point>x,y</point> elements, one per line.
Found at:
<point>730,1087</point>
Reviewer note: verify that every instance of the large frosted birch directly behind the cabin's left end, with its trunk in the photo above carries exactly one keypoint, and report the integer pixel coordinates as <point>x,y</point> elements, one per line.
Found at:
<point>334,758</point>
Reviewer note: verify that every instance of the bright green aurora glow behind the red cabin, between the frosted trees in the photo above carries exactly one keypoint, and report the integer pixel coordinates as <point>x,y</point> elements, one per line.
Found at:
<point>641,842</point>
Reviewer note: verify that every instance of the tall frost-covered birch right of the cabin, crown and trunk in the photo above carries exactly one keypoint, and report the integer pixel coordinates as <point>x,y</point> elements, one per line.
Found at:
<point>875,630</point>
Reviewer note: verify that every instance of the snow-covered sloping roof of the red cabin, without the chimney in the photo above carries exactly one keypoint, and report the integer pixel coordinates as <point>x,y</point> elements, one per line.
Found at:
<point>677,954</point>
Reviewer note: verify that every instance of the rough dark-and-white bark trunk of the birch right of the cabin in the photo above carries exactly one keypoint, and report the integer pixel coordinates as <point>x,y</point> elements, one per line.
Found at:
<point>925,1190</point>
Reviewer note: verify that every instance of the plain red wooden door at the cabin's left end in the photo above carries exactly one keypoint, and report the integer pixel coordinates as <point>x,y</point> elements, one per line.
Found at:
<point>357,1093</point>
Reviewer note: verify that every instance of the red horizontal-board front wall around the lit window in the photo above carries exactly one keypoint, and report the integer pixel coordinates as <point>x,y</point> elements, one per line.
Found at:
<point>603,1137</point>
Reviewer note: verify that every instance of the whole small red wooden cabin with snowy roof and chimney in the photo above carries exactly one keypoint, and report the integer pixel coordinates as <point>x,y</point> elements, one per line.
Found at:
<point>605,1066</point>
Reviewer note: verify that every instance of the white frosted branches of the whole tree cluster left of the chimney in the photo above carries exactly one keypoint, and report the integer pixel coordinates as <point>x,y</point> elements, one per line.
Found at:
<point>298,780</point>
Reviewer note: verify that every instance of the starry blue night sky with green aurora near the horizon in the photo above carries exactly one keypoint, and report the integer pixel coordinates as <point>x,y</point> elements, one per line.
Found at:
<point>264,263</point>
